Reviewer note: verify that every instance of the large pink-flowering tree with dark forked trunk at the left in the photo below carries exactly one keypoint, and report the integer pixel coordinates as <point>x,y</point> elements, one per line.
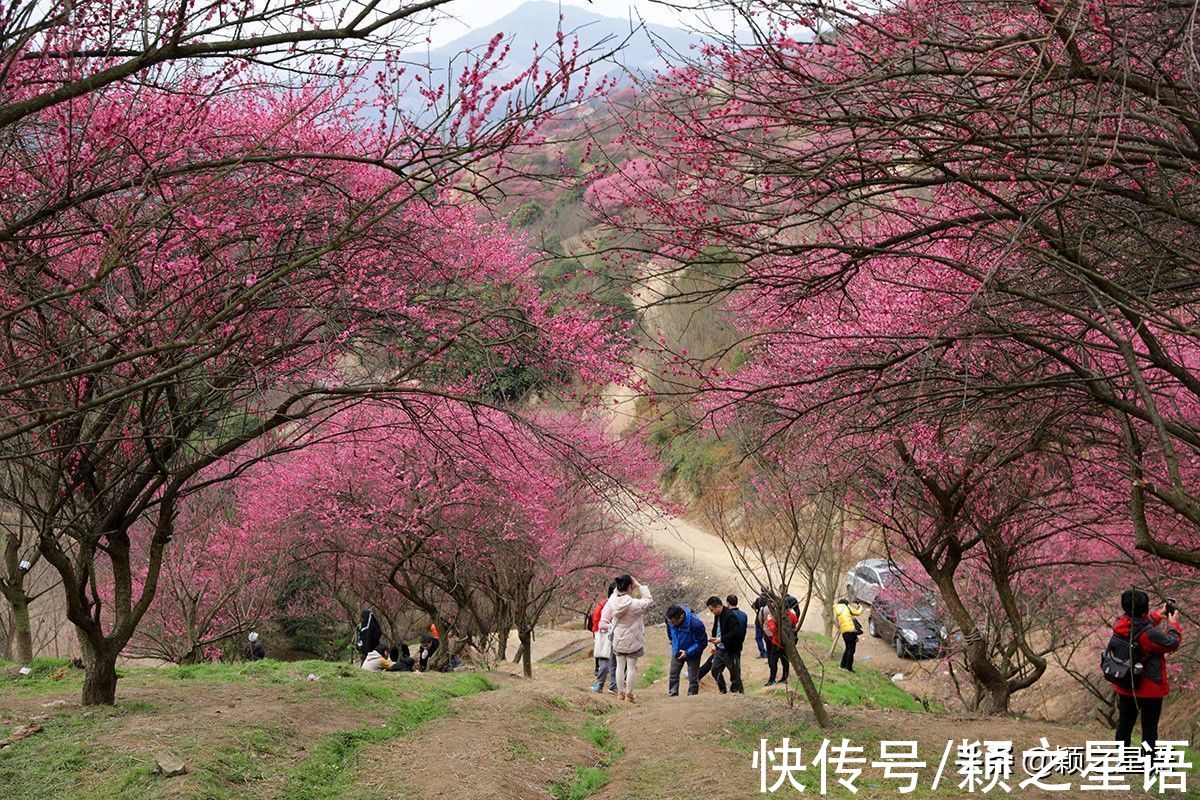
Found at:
<point>200,269</point>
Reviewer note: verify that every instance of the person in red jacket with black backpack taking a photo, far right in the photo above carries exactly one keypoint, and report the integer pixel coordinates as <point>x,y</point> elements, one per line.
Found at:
<point>1154,642</point>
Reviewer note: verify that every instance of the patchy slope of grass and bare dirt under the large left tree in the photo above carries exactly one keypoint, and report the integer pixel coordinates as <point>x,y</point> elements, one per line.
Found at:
<point>99,753</point>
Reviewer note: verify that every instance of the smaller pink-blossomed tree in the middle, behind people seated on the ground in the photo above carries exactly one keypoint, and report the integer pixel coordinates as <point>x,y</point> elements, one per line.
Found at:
<point>476,519</point>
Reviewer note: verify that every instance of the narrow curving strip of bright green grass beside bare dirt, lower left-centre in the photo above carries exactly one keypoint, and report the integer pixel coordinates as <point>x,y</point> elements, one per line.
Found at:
<point>329,771</point>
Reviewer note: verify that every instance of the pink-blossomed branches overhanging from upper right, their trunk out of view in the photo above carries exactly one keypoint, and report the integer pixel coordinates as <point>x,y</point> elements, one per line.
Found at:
<point>1052,141</point>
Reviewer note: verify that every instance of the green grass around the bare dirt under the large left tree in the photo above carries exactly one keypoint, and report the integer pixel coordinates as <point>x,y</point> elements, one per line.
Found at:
<point>69,760</point>
